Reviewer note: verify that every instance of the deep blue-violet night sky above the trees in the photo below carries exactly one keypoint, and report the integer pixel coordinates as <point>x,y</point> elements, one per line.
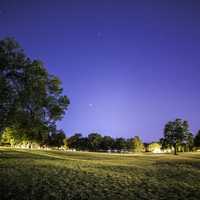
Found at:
<point>128,67</point>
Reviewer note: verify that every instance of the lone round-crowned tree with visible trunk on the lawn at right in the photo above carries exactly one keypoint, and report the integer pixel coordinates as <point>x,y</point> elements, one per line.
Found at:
<point>175,133</point>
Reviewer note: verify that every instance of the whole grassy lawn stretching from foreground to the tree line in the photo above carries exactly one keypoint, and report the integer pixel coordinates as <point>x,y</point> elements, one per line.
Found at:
<point>34,174</point>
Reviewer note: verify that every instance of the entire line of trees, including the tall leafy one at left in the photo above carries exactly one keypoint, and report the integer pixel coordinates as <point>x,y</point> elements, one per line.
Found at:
<point>32,101</point>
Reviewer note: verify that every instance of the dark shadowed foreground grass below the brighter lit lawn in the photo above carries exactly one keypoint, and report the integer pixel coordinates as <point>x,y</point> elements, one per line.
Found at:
<point>50,182</point>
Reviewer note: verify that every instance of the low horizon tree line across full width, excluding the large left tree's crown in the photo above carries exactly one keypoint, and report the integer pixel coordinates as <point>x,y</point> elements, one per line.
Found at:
<point>176,136</point>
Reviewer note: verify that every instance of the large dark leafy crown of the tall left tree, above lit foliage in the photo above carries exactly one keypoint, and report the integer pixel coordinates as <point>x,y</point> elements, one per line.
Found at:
<point>30,98</point>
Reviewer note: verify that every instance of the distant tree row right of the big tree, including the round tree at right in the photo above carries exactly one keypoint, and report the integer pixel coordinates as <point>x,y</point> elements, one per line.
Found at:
<point>175,137</point>
